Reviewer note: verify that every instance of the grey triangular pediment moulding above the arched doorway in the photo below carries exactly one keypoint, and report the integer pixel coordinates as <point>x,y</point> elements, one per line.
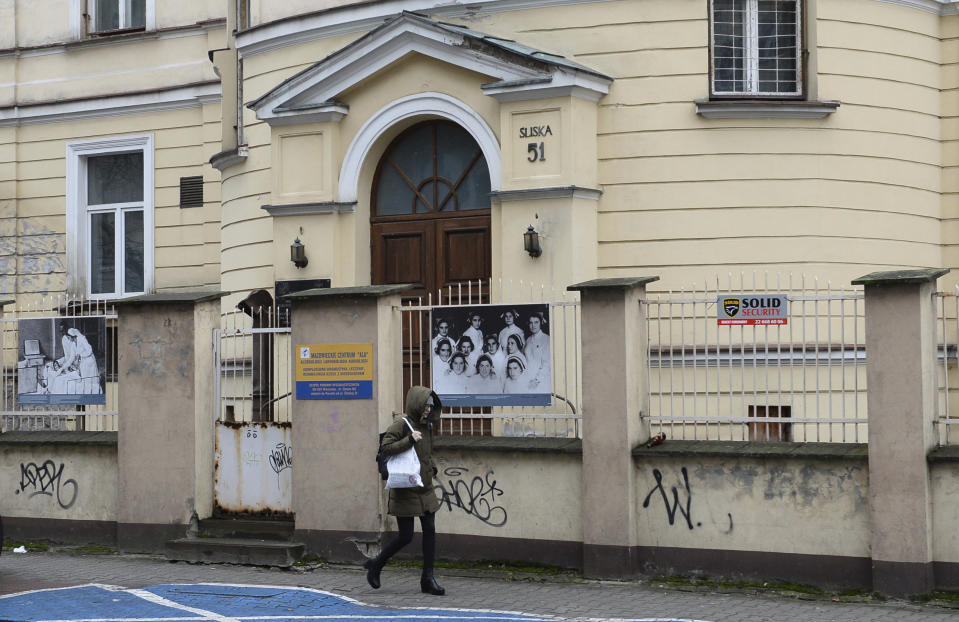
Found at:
<point>518,72</point>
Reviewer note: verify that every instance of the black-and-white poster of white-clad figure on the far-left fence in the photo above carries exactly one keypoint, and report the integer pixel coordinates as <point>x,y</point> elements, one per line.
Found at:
<point>61,361</point>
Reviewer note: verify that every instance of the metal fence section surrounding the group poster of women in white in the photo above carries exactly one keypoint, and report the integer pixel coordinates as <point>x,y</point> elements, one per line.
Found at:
<point>562,418</point>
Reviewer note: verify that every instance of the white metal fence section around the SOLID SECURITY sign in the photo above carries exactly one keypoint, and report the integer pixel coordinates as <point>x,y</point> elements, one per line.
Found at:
<point>801,381</point>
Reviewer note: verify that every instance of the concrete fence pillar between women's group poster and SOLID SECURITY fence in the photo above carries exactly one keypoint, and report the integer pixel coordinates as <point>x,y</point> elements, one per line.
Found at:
<point>614,399</point>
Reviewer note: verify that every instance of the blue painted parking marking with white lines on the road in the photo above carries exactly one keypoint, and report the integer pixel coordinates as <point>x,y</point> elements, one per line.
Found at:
<point>216,602</point>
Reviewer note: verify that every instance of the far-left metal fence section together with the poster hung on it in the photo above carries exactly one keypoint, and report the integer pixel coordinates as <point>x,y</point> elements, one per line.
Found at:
<point>59,365</point>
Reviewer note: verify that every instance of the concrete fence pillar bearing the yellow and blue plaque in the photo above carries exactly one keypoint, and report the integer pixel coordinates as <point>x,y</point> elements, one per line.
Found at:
<point>337,491</point>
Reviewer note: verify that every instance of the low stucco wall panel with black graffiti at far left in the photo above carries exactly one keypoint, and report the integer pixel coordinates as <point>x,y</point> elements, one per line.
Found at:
<point>65,481</point>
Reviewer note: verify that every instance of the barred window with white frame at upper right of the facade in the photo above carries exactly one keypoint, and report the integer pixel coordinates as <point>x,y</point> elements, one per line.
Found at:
<point>756,47</point>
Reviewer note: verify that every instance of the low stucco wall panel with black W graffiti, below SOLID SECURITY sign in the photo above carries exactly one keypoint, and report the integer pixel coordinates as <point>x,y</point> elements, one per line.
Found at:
<point>754,504</point>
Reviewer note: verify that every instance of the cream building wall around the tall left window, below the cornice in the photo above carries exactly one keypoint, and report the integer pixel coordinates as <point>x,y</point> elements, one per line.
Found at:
<point>33,227</point>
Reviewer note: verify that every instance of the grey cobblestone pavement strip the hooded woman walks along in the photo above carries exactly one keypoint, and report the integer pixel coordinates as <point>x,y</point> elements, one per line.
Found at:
<point>566,597</point>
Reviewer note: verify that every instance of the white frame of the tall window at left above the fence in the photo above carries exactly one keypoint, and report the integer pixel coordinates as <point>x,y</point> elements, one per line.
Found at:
<point>78,214</point>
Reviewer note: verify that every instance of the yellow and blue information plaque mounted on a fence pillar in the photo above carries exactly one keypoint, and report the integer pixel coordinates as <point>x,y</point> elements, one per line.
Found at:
<point>341,371</point>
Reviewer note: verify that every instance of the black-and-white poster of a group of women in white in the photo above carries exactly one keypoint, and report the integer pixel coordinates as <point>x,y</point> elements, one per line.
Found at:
<point>491,355</point>
